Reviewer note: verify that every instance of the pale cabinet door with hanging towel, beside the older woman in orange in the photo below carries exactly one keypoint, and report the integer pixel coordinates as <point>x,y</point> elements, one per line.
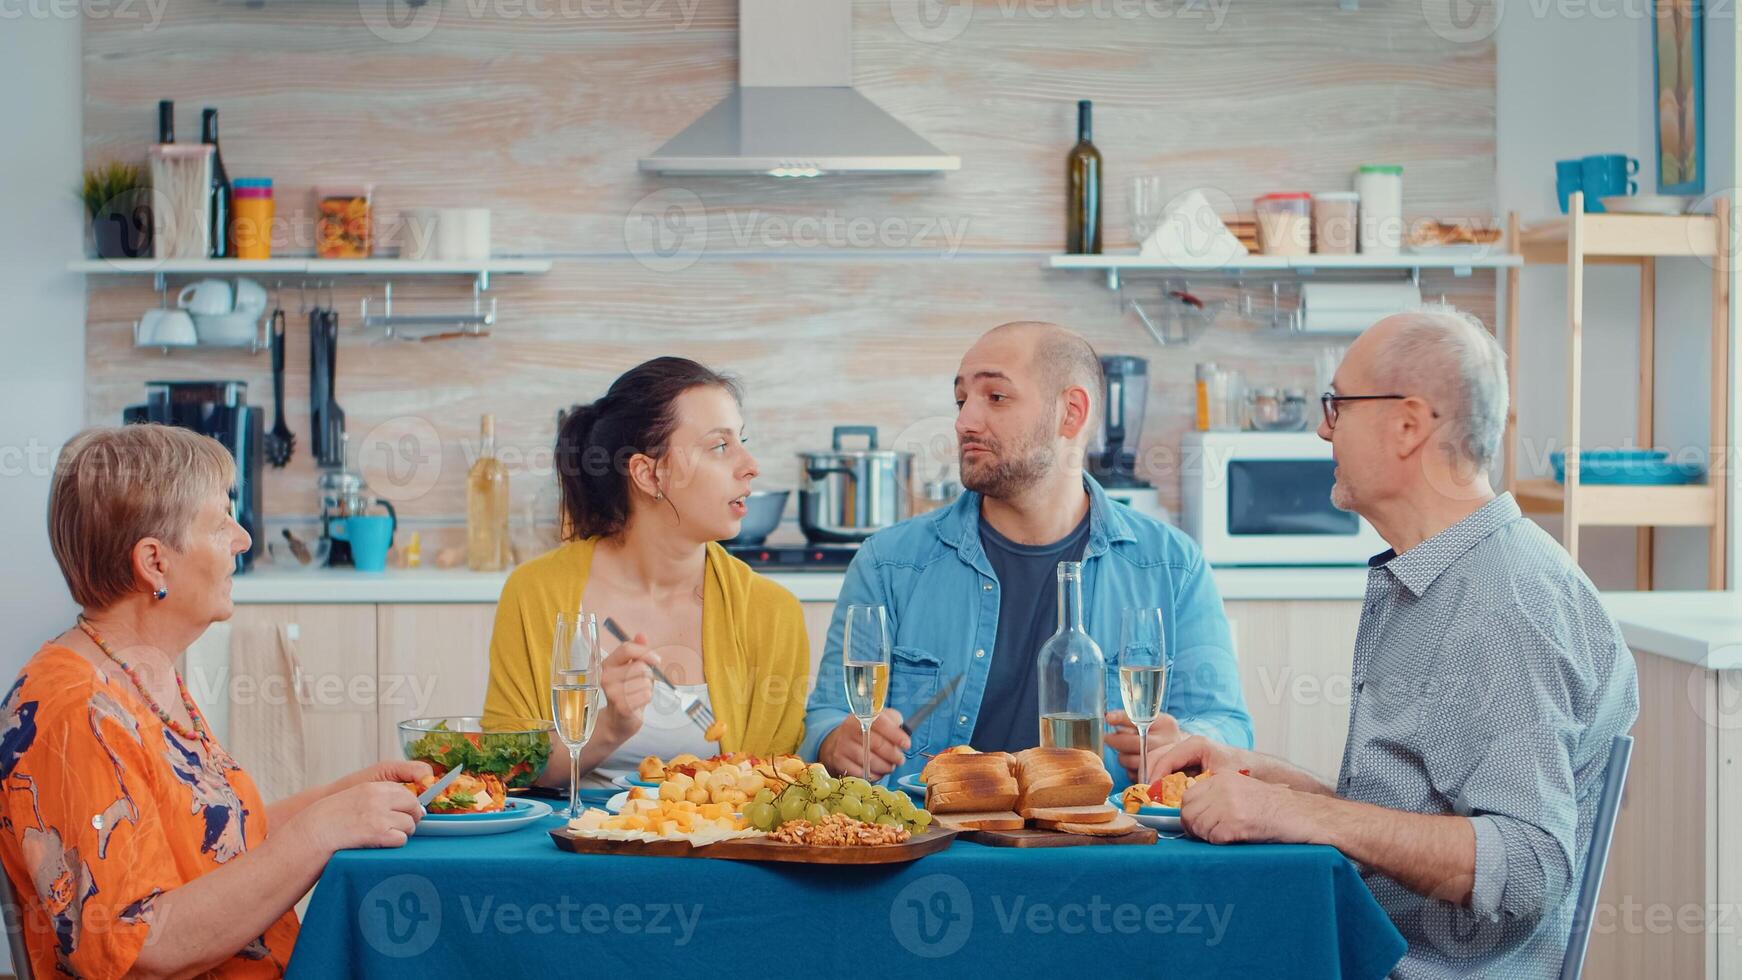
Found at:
<point>332,683</point>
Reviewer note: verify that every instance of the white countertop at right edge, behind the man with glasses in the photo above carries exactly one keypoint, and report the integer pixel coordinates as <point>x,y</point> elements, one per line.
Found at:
<point>1703,629</point>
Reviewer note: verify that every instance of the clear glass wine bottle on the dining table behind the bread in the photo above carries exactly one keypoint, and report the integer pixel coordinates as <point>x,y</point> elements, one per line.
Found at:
<point>1072,675</point>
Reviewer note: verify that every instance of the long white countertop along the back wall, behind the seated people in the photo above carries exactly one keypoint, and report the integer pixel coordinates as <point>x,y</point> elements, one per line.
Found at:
<point>459,586</point>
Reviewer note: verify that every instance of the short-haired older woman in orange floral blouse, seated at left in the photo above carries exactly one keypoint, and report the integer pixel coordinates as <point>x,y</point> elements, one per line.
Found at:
<point>132,840</point>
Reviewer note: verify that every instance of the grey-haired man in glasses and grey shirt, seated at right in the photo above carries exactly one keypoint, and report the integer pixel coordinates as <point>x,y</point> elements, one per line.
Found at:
<point>1487,685</point>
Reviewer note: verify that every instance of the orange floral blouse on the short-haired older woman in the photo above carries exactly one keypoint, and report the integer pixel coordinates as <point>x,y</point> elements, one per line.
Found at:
<point>104,809</point>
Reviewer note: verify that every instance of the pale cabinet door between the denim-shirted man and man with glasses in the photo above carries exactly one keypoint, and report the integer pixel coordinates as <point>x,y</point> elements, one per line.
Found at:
<point>1295,664</point>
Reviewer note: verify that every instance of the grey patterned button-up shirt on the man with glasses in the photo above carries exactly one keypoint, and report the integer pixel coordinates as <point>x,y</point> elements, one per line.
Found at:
<point>1489,683</point>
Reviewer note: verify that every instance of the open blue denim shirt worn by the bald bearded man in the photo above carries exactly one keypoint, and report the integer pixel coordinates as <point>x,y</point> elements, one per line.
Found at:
<point>942,594</point>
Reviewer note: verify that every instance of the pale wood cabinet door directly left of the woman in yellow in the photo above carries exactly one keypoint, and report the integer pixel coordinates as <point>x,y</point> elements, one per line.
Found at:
<point>435,662</point>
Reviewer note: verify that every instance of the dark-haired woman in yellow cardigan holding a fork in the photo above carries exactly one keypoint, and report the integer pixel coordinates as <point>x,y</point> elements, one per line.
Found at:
<point>654,476</point>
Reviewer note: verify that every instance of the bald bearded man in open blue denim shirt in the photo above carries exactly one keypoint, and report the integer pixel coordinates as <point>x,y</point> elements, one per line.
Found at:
<point>973,589</point>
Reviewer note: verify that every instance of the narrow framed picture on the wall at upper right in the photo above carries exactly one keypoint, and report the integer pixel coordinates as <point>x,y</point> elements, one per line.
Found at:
<point>1678,36</point>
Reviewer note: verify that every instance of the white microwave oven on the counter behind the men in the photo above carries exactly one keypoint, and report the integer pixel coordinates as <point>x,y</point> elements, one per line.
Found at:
<point>1264,499</point>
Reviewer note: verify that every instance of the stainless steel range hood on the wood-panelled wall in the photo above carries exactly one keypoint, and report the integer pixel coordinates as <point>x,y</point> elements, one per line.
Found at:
<point>795,112</point>
